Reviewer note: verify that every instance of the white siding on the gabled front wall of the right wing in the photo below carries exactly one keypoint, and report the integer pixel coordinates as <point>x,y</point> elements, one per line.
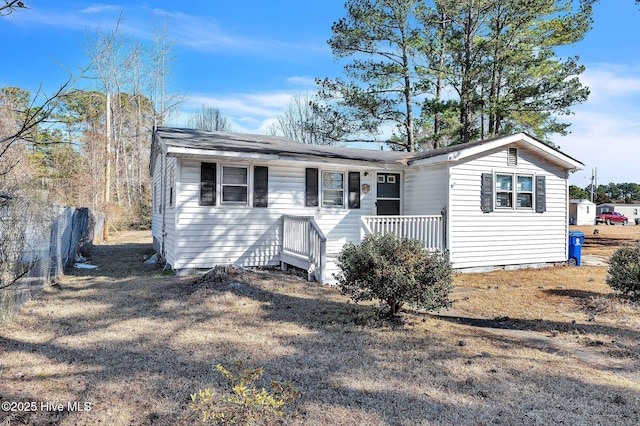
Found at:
<point>508,236</point>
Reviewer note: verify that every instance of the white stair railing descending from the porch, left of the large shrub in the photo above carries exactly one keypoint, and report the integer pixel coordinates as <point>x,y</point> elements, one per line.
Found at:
<point>304,245</point>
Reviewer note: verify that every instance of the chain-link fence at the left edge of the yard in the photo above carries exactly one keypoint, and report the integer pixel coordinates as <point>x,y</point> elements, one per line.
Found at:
<point>36,243</point>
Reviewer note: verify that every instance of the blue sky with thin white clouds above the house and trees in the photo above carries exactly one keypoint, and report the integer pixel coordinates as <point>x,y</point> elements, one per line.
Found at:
<point>248,57</point>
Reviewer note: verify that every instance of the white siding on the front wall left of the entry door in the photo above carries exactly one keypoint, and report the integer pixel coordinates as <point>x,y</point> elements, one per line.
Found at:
<point>210,235</point>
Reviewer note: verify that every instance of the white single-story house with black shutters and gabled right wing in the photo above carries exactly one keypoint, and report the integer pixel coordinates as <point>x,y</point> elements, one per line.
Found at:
<point>227,198</point>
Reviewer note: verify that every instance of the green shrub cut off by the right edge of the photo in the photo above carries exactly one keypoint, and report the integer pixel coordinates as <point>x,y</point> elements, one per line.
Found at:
<point>624,270</point>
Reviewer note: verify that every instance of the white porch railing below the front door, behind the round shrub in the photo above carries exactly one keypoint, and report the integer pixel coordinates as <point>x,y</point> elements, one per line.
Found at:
<point>428,229</point>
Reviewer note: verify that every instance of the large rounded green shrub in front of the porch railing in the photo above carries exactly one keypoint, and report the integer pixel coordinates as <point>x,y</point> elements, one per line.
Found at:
<point>395,271</point>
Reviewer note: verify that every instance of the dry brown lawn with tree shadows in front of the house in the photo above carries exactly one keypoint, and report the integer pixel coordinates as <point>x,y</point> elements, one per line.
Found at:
<point>527,347</point>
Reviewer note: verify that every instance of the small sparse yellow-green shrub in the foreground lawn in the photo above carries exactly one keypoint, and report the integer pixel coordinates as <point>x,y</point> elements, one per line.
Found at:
<point>243,403</point>
